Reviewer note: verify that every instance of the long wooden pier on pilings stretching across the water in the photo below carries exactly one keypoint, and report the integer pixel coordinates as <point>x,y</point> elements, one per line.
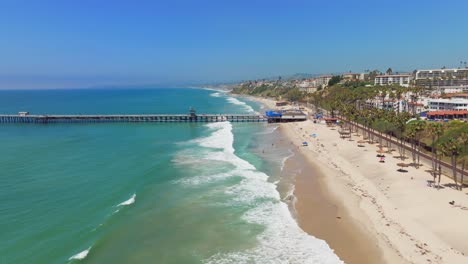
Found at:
<point>48,119</point>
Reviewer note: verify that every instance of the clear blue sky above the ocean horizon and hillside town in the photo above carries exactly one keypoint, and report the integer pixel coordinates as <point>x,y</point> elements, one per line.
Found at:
<point>88,43</point>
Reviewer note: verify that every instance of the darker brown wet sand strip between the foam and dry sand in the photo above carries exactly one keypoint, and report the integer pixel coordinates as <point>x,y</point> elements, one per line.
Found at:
<point>320,215</point>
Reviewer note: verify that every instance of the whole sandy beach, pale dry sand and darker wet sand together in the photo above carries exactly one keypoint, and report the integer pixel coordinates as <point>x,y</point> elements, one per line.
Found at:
<point>367,211</point>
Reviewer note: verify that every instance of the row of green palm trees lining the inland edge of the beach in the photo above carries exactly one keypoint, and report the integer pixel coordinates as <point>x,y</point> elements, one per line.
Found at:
<point>353,106</point>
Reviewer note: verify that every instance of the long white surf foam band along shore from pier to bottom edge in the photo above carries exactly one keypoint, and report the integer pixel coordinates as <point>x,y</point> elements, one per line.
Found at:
<point>282,241</point>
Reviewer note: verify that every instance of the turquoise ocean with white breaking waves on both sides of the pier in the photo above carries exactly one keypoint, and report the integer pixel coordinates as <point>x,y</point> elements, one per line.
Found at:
<point>145,192</point>
